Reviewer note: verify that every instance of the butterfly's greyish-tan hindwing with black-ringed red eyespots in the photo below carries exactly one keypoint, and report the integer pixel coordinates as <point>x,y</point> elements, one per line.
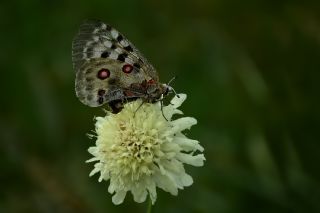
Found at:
<point>100,81</point>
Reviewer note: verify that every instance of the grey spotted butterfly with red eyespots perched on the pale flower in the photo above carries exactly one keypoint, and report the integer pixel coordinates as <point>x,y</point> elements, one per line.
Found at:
<point>111,70</point>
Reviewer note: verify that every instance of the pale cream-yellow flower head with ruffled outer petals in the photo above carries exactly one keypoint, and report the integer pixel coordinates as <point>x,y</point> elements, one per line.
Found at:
<point>142,148</point>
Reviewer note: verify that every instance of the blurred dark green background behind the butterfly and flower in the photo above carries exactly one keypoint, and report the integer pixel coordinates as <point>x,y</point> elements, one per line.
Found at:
<point>251,72</point>
